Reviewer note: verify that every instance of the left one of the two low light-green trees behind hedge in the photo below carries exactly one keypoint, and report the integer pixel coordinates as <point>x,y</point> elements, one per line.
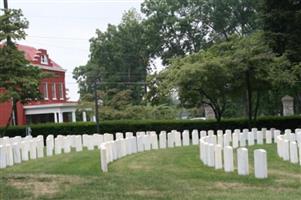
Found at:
<point>201,78</point>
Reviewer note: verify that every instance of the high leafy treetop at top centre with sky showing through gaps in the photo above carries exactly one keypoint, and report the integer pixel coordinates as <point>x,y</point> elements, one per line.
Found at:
<point>178,28</point>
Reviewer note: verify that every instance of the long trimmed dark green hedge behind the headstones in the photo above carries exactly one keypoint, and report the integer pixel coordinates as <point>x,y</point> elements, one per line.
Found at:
<point>155,125</point>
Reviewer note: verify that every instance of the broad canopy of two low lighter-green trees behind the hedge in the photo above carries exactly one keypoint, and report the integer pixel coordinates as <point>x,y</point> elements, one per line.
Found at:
<point>224,73</point>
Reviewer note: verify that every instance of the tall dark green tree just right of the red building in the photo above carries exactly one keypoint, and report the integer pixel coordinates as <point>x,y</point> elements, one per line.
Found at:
<point>119,57</point>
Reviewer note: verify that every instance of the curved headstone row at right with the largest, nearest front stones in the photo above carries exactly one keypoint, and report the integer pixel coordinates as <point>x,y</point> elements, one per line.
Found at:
<point>217,150</point>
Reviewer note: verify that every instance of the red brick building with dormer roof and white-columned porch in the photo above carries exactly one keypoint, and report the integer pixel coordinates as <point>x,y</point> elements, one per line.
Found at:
<point>55,107</point>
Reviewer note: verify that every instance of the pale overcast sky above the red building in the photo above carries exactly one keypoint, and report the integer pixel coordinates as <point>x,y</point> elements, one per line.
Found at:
<point>64,27</point>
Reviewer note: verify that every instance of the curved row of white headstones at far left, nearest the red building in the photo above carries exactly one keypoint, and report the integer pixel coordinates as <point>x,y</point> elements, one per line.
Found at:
<point>21,149</point>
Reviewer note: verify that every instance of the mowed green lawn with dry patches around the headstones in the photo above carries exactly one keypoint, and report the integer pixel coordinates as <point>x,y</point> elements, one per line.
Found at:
<point>175,173</point>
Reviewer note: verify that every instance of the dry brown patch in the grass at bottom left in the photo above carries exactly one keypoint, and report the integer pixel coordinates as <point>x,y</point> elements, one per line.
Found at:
<point>43,185</point>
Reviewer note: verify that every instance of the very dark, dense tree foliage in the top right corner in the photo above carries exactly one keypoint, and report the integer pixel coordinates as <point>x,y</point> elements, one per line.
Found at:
<point>283,28</point>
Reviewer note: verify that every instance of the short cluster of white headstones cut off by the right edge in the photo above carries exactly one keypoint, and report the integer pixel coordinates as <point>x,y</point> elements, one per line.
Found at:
<point>289,146</point>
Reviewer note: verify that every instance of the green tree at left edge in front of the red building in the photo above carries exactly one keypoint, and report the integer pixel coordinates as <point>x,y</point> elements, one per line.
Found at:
<point>18,78</point>
